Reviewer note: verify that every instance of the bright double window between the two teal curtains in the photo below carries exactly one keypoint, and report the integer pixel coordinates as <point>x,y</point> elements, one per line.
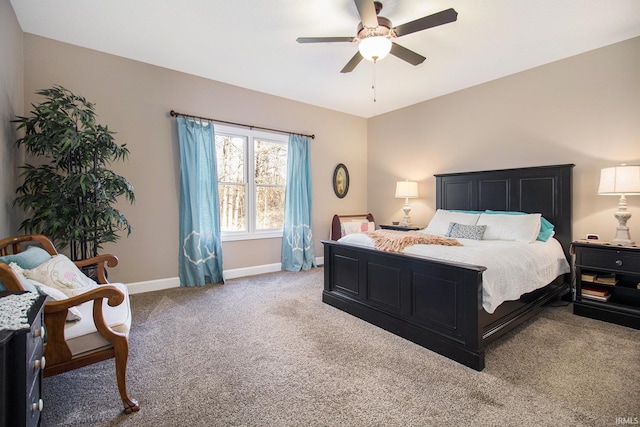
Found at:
<point>252,176</point>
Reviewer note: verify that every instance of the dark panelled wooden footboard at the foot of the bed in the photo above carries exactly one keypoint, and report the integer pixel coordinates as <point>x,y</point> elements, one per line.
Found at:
<point>432,303</point>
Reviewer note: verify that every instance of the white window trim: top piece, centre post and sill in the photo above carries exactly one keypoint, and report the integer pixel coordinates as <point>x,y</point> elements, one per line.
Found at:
<point>249,136</point>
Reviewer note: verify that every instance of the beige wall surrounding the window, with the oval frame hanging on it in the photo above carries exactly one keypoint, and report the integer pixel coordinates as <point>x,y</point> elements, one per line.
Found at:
<point>134,100</point>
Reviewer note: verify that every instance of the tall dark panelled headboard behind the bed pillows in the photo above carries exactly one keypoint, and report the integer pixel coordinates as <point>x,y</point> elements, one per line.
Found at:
<point>542,189</point>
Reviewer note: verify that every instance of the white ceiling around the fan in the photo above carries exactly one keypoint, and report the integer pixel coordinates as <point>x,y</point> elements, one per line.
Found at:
<point>252,43</point>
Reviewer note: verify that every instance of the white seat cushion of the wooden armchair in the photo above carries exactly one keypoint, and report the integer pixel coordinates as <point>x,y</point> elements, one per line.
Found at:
<point>83,336</point>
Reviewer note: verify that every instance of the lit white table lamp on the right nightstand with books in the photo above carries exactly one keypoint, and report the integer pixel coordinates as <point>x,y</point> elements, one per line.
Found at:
<point>621,181</point>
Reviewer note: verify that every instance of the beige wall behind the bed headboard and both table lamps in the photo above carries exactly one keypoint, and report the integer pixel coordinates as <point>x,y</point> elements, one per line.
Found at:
<point>583,110</point>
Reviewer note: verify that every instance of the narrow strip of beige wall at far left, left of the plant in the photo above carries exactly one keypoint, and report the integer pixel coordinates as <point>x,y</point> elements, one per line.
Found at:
<point>11,104</point>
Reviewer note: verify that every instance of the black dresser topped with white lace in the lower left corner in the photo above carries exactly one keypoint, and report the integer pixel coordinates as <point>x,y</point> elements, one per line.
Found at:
<point>21,359</point>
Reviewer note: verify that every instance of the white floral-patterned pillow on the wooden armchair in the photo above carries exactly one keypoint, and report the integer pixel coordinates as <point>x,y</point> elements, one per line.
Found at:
<point>61,273</point>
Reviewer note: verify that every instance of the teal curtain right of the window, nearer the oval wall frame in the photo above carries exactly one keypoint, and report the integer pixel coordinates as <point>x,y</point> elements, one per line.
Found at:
<point>297,240</point>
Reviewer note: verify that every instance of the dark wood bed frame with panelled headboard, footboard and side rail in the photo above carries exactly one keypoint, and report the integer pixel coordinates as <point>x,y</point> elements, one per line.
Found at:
<point>438,304</point>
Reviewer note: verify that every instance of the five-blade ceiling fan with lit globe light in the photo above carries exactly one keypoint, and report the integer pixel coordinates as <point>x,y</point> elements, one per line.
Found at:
<point>375,34</point>
